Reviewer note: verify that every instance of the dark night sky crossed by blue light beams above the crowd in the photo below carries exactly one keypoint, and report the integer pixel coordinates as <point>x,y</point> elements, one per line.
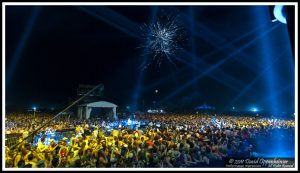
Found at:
<point>56,48</point>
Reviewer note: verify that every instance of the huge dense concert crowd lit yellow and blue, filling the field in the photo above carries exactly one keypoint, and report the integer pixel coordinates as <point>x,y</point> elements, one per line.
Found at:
<point>163,141</point>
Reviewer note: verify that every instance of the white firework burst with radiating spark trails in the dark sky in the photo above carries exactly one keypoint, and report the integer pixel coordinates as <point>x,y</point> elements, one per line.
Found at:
<point>162,40</point>
